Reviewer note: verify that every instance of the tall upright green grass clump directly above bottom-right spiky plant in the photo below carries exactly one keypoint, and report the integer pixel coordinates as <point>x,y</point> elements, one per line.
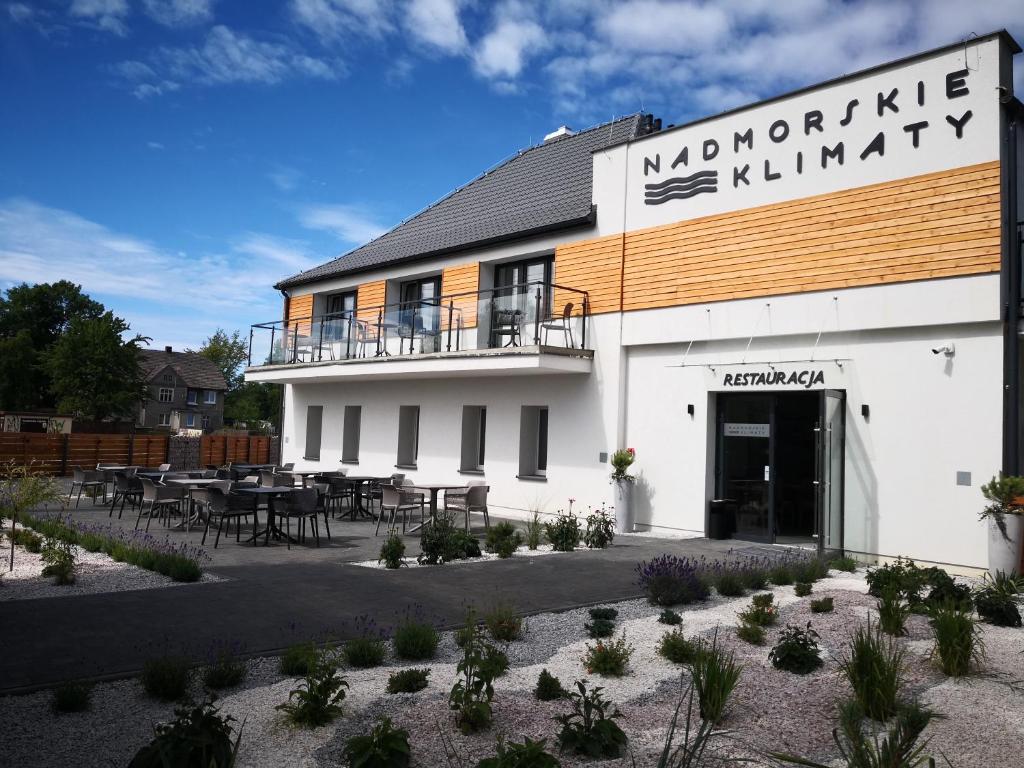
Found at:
<point>875,670</point>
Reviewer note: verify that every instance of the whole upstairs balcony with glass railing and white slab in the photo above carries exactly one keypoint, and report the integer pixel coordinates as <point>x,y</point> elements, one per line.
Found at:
<point>534,328</point>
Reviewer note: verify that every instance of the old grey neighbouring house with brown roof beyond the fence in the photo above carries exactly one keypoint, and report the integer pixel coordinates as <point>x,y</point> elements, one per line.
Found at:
<point>186,392</point>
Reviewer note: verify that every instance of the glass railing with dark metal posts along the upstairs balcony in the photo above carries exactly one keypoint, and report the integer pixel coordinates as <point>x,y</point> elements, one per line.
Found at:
<point>532,315</point>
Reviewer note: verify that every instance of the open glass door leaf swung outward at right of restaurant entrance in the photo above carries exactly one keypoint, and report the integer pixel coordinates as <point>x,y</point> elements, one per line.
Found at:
<point>830,435</point>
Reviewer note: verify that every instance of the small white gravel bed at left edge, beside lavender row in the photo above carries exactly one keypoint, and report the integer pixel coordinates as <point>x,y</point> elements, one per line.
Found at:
<point>95,574</point>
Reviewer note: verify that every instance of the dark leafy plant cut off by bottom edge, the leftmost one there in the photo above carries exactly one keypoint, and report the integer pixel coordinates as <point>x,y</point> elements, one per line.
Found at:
<point>200,736</point>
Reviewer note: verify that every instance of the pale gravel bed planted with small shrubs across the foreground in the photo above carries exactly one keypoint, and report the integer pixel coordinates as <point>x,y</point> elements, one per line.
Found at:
<point>771,710</point>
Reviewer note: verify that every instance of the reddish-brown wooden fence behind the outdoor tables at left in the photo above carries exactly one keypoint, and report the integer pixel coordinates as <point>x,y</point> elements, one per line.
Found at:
<point>60,454</point>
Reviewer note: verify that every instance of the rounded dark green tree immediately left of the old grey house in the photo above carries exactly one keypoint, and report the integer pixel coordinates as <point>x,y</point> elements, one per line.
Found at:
<point>95,373</point>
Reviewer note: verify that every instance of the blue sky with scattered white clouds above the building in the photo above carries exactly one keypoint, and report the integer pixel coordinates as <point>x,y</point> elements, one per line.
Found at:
<point>178,157</point>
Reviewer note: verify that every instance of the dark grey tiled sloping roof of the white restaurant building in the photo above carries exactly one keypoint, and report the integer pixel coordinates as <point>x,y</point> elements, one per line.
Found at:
<point>544,188</point>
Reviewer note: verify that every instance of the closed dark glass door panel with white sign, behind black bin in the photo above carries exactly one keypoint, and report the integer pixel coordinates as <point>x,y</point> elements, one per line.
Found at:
<point>745,428</point>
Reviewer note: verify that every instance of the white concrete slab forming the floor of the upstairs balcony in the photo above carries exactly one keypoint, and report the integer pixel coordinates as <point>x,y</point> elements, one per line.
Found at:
<point>472,363</point>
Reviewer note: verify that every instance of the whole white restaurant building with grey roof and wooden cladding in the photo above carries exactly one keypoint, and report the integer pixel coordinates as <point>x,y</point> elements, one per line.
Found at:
<point>808,306</point>
